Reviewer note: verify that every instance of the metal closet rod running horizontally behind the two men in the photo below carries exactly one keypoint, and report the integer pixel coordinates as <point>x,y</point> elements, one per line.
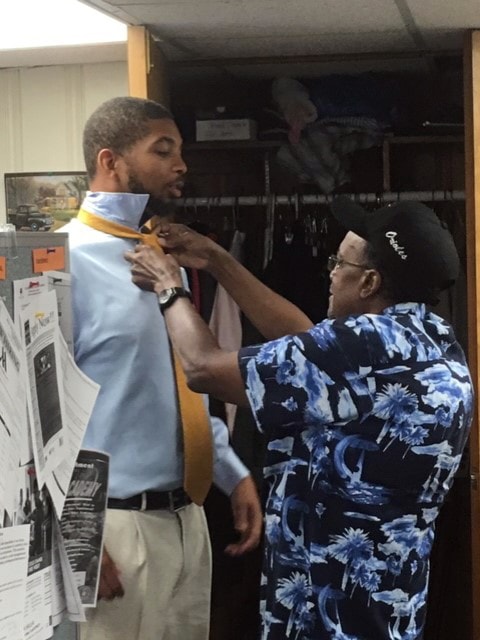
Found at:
<point>362,198</point>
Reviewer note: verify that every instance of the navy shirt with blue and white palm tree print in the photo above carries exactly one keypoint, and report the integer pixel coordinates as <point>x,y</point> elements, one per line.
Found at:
<point>366,417</point>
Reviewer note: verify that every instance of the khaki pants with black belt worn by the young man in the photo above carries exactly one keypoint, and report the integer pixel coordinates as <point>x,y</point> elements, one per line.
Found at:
<point>164,561</point>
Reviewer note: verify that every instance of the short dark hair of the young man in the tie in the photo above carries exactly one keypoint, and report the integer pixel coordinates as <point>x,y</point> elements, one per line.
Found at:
<point>117,125</point>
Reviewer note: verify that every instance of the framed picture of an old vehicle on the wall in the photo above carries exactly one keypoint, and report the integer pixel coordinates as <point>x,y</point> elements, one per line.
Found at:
<point>43,201</point>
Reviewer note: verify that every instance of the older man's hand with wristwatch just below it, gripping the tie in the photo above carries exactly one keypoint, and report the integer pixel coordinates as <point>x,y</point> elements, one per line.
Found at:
<point>153,270</point>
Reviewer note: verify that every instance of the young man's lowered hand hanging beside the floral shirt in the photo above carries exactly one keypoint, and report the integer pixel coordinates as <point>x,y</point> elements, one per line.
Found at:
<point>247,517</point>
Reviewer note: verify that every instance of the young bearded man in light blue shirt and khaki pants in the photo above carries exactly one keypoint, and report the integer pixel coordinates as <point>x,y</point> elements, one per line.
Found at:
<point>155,577</point>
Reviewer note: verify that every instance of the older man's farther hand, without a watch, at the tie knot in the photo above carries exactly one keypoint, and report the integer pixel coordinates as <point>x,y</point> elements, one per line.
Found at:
<point>191,249</point>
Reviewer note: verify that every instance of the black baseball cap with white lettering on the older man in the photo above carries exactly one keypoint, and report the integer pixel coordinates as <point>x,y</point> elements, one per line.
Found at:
<point>412,246</point>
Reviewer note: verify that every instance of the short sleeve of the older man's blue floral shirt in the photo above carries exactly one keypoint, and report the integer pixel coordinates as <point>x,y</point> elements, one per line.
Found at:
<point>307,378</point>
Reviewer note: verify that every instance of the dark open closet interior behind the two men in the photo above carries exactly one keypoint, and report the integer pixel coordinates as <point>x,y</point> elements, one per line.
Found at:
<point>375,134</point>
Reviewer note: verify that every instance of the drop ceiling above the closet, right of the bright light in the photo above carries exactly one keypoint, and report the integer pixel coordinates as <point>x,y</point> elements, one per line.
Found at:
<point>210,28</point>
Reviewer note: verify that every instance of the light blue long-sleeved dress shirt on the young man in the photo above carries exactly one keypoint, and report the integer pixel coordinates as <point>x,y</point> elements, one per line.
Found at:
<point>121,343</point>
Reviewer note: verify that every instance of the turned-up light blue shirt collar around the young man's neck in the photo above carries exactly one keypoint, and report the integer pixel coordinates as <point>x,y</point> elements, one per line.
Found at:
<point>122,208</point>
